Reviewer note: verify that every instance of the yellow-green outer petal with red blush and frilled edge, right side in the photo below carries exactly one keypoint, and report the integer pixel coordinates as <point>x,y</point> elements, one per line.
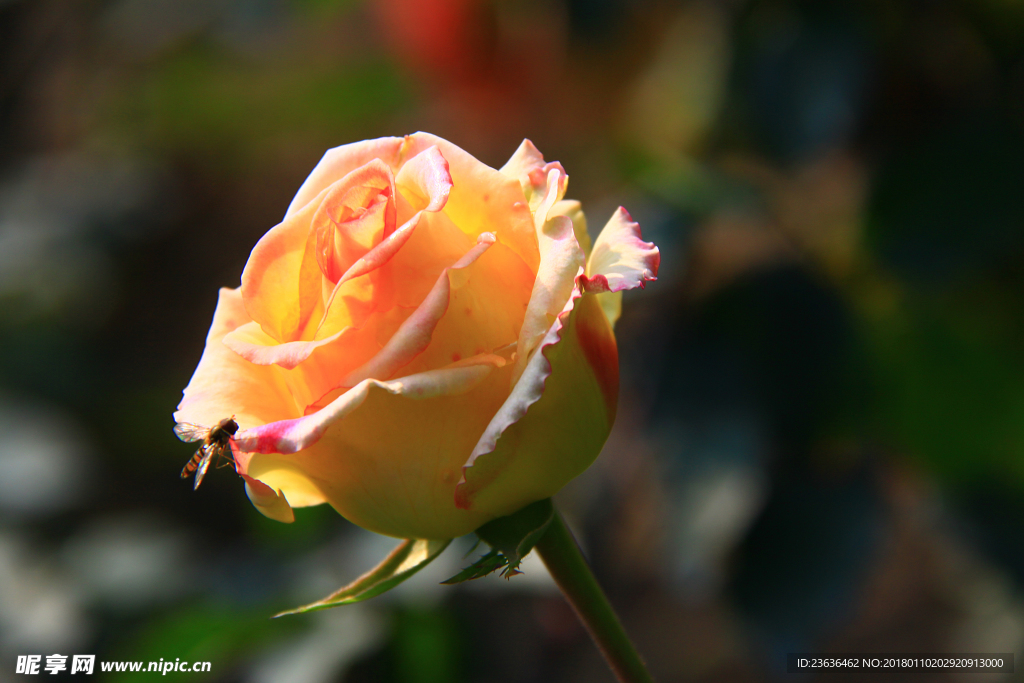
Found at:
<point>556,421</point>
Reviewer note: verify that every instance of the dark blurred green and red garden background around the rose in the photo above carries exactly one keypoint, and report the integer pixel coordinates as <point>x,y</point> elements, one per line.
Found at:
<point>821,441</point>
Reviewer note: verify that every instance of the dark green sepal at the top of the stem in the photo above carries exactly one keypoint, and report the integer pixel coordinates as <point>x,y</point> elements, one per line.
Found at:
<point>511,538</point>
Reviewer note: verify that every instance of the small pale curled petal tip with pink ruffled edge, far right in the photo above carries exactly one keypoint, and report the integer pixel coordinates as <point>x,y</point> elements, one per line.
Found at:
<point>621,261</point>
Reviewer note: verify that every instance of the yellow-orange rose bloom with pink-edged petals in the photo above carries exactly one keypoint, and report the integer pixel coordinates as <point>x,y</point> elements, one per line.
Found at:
<point>423,343</point>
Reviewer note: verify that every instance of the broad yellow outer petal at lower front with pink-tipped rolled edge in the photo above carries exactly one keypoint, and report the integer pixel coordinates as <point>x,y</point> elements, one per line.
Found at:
<point>387,455</point>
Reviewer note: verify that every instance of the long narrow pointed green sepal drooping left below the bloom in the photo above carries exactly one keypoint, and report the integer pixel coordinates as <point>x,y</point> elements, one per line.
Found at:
<point>408,559</point>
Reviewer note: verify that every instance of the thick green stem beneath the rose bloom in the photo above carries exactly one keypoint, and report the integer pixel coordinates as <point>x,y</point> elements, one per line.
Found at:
<point>570,570</point>
